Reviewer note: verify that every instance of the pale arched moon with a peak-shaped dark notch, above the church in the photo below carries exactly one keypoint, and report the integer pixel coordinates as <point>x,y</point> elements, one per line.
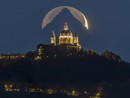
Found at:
<point>49,17</point>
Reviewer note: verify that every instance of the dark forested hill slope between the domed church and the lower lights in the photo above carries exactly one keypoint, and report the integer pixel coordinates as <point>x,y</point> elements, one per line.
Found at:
<point>87,66</point>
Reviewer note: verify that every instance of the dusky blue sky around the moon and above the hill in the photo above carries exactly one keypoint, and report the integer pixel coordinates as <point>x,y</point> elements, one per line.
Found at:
<point>109,23</point>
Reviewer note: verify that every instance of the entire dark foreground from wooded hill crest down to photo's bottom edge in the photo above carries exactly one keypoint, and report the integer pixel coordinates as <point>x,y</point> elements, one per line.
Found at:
<point>106,76</point>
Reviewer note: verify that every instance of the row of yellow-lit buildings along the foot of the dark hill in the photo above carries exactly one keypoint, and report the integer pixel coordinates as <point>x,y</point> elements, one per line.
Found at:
<point>12,87</point>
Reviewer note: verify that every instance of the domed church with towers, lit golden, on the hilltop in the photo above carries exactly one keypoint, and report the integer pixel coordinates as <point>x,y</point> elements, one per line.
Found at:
<point>68,44</point>
